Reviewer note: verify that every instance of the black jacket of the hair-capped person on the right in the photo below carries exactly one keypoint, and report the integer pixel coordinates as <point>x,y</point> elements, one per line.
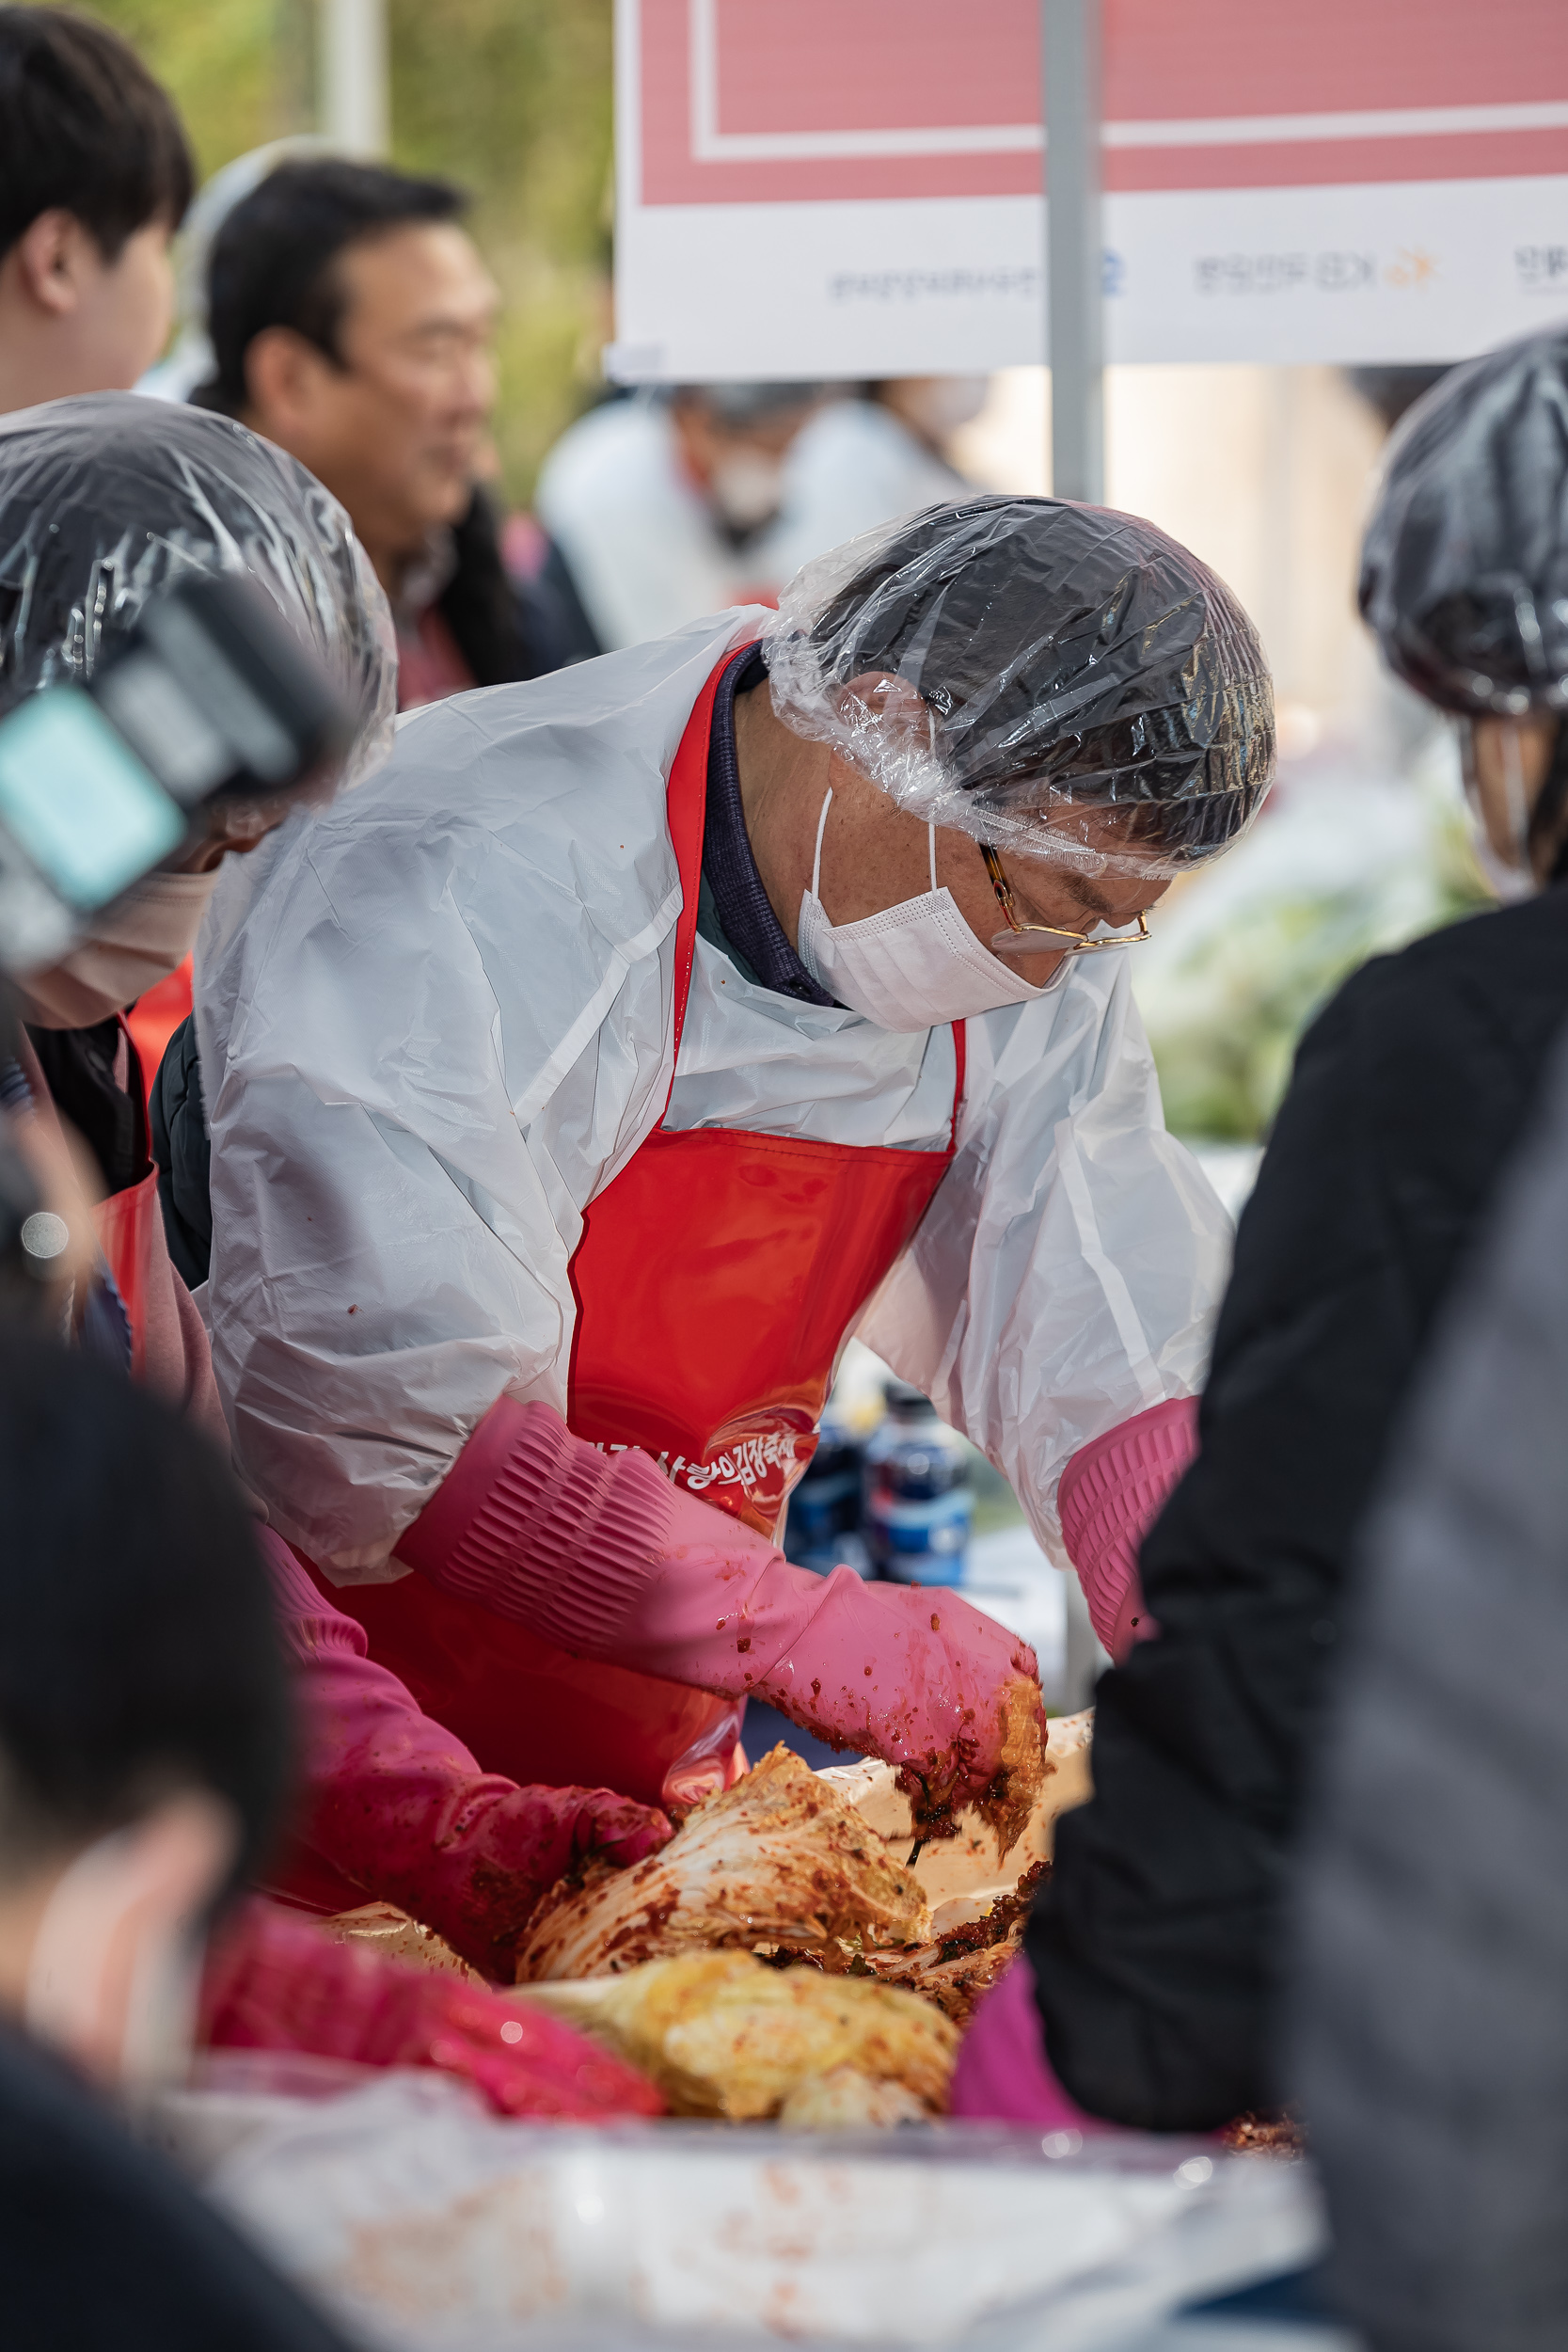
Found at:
<point>1158,1937</point>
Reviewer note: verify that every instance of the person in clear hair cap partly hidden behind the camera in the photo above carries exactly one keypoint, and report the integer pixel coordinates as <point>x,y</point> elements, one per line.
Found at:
<point>105,502</point>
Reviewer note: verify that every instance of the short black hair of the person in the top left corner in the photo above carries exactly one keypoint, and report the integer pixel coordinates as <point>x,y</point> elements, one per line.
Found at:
<point>86,128</point>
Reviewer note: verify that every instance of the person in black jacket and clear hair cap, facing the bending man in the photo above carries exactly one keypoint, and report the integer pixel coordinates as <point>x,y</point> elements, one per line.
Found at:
<point>1155,1953</point>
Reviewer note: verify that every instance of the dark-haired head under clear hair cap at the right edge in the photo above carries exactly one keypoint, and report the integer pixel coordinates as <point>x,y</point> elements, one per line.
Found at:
<point>1466,556</point>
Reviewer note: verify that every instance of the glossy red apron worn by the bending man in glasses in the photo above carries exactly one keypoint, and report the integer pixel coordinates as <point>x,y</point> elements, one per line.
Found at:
<point>716,1283</point>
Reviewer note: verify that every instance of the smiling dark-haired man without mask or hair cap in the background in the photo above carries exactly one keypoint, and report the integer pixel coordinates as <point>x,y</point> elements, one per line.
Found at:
<point>351,321</point>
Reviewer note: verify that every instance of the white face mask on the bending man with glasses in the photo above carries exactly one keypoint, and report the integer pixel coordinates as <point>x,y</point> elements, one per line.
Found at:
<point>913,965</point>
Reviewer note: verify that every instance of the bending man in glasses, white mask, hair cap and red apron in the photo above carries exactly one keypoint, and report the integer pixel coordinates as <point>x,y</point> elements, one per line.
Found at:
<point>641,1034</point>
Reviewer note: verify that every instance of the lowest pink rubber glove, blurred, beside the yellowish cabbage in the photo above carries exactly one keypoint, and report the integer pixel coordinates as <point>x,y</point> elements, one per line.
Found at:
<point>276,1984</point>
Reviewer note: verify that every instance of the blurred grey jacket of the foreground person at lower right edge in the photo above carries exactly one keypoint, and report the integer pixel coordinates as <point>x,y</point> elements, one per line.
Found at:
<point>1433,1913</point>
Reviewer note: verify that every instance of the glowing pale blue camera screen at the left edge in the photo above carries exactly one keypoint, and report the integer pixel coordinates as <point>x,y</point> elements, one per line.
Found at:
<point>81,806</point>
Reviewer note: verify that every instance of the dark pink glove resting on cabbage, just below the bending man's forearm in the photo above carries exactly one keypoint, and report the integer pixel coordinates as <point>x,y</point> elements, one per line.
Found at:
<point>398,1808</point>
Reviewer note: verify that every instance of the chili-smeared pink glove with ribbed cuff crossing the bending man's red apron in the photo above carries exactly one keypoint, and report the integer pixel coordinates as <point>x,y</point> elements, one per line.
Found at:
<point>603,1556</point>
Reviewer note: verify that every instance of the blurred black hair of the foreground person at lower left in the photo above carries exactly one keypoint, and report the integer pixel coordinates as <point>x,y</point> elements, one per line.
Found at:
<point>140,1641</point>
